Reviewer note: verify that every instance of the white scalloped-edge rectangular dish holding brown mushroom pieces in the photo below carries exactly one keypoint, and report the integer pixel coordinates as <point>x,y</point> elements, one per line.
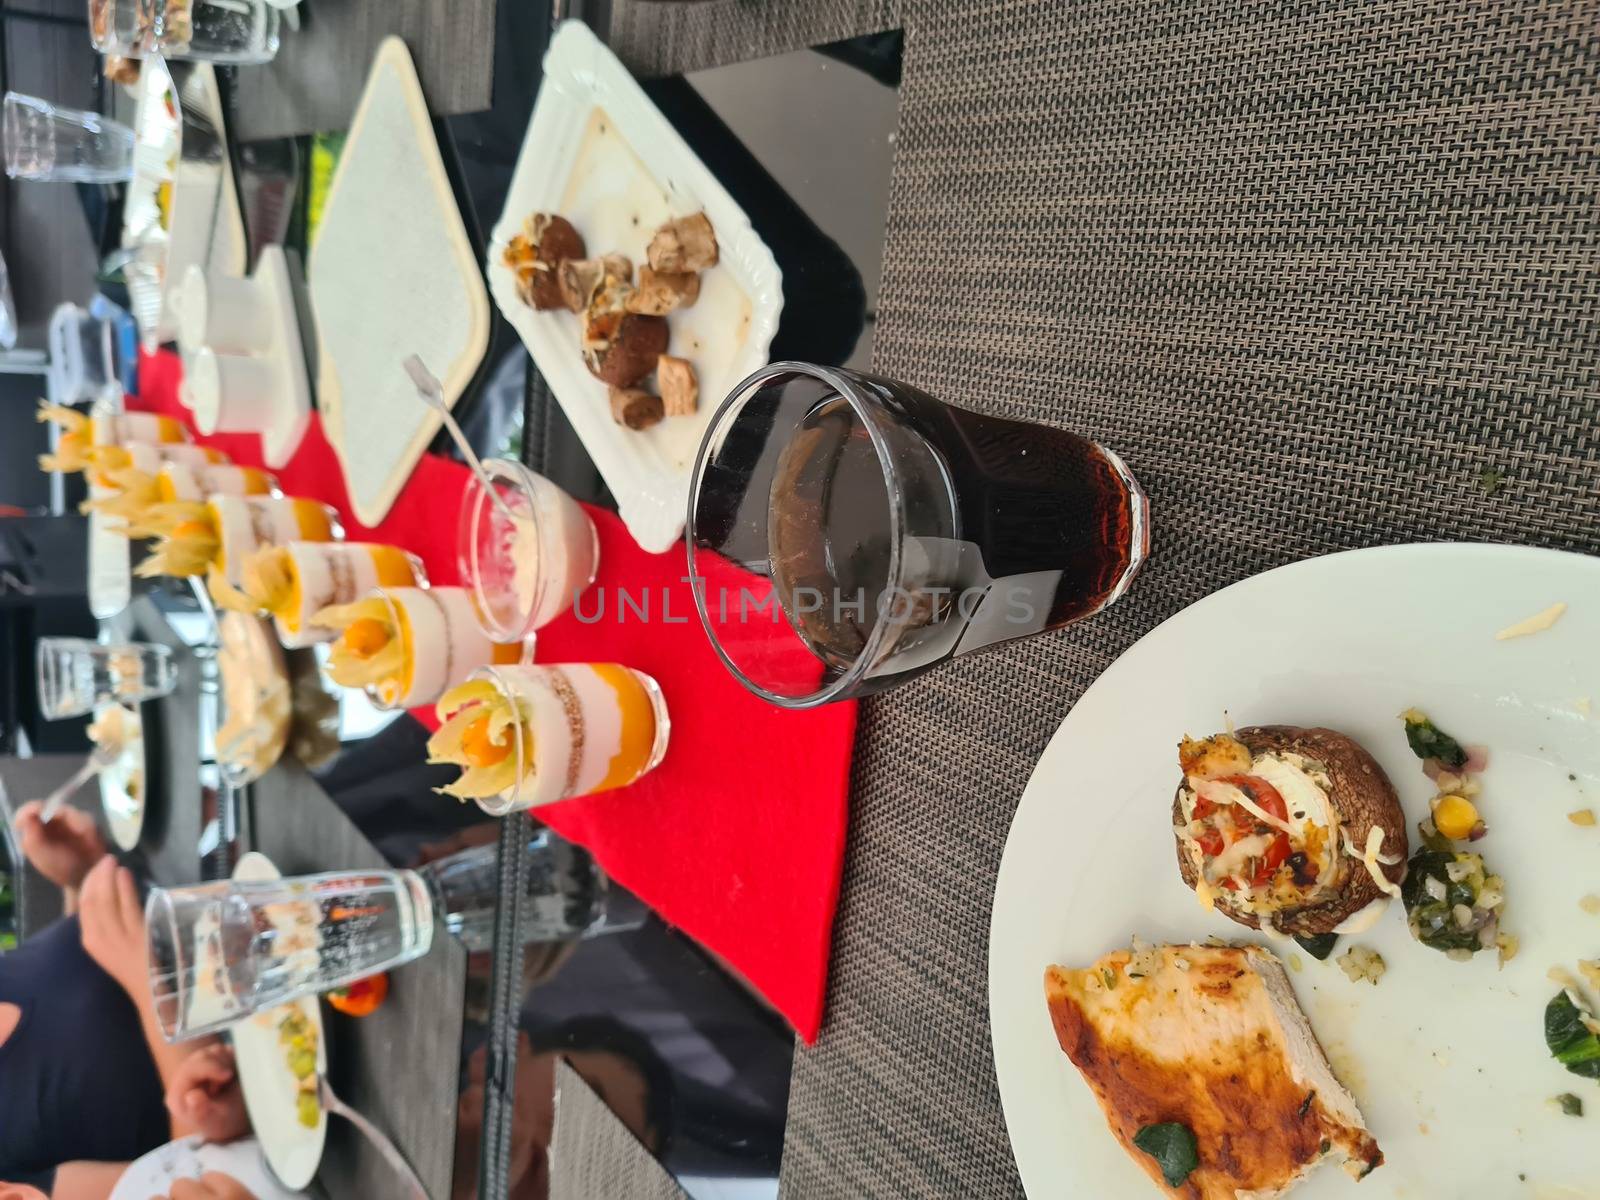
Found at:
<point>602,156</point>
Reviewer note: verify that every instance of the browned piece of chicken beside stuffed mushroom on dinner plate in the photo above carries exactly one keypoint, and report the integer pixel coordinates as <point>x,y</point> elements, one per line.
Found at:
<point>1209,1038</point>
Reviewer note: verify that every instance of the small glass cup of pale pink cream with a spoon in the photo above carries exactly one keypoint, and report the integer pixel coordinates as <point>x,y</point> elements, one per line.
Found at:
<point>526,562</point>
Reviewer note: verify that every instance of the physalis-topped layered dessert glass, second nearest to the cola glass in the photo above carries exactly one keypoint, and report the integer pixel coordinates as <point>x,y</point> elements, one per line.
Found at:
<point>410,646</point>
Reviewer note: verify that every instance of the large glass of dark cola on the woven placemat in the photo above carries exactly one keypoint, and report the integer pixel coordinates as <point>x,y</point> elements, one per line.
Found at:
<point>847,534</point>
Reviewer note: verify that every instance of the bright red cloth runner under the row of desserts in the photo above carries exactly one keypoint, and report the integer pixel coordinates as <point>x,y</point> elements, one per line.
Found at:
<point>738,836</point>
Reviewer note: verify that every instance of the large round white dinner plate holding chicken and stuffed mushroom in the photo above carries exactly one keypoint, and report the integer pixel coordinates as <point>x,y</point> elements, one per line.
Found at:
<point>1446,1060</point>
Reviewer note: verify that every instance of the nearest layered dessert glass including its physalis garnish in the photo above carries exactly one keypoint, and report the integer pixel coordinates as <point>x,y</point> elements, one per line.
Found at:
<point>534,735</point>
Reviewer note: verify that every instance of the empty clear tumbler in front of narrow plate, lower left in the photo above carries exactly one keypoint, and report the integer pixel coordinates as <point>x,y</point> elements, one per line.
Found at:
<point>220,953</point>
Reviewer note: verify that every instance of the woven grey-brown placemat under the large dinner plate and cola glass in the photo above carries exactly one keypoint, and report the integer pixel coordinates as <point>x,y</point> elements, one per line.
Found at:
<point>1313,270</point>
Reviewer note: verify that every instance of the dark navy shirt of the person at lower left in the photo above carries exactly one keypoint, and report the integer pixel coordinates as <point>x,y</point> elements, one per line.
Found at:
<point>78,1081</point>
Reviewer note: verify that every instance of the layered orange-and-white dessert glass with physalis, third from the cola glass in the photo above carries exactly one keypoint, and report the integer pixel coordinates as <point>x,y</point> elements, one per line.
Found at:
<point>297,582</point>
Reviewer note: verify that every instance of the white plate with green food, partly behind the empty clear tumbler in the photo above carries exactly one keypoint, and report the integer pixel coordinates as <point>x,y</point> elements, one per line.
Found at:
<point>292,1150</point>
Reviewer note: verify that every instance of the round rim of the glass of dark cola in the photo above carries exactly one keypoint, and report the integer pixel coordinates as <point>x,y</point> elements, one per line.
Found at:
<point>844,383</point>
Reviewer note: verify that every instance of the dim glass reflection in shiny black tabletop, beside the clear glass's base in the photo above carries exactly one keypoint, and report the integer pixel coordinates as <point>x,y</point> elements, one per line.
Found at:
<point>567,895</point>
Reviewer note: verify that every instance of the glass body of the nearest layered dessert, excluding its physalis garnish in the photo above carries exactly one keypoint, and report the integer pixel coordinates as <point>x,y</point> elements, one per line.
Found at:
<point>594,727</point>
